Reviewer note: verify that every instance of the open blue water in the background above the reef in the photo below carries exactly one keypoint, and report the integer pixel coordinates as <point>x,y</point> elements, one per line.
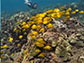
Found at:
<point>15,5</point>
